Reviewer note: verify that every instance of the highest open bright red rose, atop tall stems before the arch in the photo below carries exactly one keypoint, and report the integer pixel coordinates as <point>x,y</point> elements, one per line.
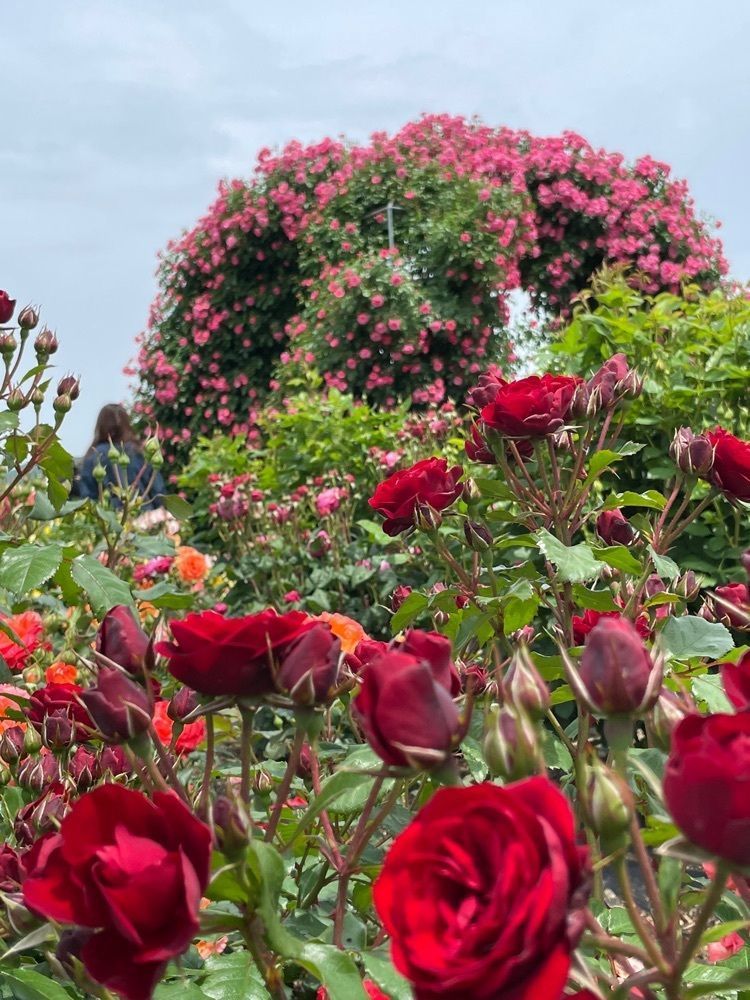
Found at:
<point>531,407</point>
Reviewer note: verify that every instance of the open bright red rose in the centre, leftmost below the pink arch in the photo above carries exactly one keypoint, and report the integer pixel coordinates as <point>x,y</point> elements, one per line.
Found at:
<point>428,482</point>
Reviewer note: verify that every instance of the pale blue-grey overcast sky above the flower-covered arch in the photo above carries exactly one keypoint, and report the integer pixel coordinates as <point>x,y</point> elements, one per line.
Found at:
<point>117,118</point>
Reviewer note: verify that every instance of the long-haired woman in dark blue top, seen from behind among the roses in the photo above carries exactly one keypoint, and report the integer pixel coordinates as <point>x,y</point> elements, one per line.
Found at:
<point>113,428</point>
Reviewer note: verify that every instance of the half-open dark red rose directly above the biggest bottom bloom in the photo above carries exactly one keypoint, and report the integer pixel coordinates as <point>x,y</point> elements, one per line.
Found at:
<point>406,710</point>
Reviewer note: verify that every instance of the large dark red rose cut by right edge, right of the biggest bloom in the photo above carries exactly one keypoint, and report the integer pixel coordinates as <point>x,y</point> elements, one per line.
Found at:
<point>706,785</point>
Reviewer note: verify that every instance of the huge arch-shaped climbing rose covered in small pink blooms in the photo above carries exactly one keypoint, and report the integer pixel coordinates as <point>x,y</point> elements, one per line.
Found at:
<point>296,266</point>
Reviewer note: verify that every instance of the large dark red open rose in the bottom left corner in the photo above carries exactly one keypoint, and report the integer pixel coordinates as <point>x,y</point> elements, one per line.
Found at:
<point>132,869</point>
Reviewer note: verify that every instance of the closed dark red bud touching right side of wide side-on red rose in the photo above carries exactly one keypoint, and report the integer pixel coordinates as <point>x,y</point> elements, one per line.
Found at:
<point>309,669</point>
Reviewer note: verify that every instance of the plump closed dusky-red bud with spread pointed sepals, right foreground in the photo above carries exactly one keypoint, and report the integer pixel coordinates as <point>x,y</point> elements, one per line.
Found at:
<point>616,675</point>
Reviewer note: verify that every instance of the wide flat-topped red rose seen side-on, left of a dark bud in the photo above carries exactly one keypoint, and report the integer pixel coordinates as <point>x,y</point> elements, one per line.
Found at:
<point>217,655</point>
